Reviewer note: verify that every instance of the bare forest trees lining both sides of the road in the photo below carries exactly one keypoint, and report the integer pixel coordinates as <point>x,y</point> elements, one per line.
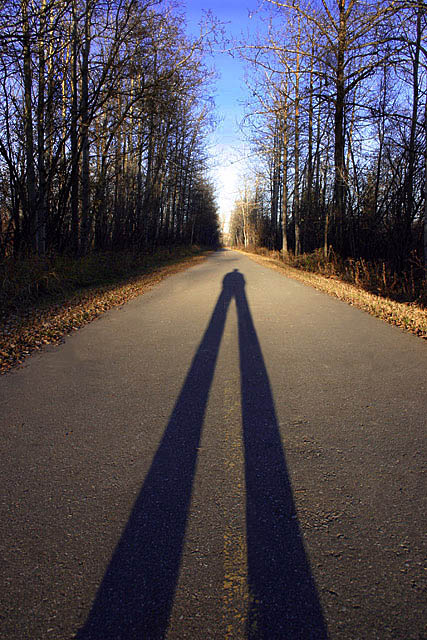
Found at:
<point>105,118</point>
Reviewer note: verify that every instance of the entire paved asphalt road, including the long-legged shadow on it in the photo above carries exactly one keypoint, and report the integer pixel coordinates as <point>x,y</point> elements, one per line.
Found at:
<point>232,455</point>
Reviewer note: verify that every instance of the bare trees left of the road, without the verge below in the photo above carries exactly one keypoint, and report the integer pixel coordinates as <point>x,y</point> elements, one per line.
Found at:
<point>103,119</point>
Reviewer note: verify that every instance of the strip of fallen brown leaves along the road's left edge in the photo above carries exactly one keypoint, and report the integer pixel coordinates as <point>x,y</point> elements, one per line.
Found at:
<point>28,328</point>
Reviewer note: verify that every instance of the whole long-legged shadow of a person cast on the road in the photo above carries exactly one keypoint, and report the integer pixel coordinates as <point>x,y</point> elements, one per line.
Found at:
<point>136,595</point>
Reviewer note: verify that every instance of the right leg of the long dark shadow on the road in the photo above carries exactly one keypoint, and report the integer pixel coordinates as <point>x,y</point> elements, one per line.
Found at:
<point>283,598</point>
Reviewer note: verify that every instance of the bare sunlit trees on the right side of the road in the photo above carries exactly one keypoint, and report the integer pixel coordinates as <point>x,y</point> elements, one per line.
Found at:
<point>338,120</point>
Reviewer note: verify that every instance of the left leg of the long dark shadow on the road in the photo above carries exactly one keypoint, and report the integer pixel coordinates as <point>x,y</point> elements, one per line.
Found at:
<point>136,595</point>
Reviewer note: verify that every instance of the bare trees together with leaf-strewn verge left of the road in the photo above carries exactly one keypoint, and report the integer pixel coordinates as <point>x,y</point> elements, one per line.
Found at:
<point>105,112</point>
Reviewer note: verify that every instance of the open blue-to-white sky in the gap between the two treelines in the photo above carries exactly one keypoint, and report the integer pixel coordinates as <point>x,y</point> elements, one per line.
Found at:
<point>227,148</point>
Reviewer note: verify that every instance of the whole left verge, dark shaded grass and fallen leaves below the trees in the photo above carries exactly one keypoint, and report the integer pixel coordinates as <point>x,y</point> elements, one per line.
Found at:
<point>43,300</point>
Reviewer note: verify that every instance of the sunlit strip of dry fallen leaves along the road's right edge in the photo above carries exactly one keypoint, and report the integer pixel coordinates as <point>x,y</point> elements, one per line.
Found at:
<point>409,316</point>
